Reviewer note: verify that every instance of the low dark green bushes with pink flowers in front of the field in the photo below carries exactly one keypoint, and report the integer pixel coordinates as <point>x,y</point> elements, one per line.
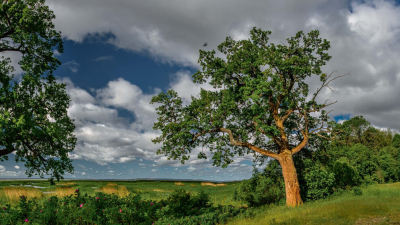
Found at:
<point>104,209</point>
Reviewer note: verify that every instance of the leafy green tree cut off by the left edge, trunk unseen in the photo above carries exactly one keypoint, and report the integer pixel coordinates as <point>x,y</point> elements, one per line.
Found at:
<point>33,113</point>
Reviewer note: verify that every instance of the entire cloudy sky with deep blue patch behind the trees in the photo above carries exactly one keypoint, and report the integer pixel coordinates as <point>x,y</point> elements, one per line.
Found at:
<point>119,54</point>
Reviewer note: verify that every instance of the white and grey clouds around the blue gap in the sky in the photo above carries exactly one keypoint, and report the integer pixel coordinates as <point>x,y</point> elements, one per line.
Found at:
<point>363,44</point>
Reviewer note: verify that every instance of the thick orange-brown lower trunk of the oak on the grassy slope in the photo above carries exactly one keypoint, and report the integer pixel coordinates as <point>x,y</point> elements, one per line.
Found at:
<point>292,186</point>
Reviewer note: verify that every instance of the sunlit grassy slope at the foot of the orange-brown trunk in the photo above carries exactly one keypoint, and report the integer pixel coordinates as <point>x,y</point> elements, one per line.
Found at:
<point>379,204</point>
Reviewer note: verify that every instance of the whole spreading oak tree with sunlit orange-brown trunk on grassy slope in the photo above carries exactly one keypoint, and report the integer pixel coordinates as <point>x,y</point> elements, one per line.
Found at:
<point>261,103</point>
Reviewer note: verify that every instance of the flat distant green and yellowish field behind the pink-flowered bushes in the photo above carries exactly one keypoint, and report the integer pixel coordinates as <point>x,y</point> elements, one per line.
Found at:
<point>155,190</point>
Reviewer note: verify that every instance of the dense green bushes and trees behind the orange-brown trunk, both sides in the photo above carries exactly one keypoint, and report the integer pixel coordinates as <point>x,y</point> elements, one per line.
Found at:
<point>328,167</point>
